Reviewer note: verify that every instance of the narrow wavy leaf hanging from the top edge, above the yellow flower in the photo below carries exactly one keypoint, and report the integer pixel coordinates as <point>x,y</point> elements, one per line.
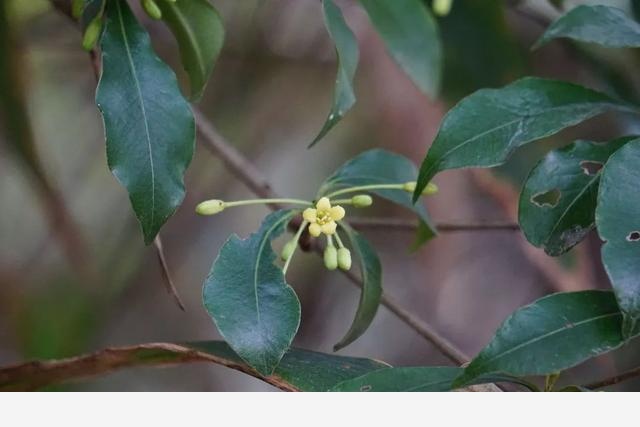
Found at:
<point>348,55</point>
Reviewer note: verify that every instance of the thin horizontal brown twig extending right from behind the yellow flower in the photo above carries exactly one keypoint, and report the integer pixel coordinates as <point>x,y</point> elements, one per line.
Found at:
<point>445,227</point>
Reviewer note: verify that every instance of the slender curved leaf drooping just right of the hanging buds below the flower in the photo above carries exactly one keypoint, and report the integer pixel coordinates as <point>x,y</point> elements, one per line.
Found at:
<point>371,272</point>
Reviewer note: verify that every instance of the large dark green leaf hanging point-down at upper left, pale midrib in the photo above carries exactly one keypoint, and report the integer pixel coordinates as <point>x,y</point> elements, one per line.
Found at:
<point>149,126</point>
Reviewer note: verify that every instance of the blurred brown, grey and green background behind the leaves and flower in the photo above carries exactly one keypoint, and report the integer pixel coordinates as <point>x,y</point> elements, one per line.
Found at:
<point>88,282</point>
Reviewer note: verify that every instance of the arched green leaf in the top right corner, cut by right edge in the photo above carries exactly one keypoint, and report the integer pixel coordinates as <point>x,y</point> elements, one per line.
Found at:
<point>604,25</point>
